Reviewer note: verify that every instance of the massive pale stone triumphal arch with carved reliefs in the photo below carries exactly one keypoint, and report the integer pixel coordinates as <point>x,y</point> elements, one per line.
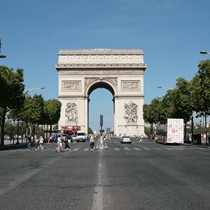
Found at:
<point>120,71</point>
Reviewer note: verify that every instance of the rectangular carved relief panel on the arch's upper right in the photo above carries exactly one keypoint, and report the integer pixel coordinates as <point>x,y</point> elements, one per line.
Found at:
<point>130,85</point>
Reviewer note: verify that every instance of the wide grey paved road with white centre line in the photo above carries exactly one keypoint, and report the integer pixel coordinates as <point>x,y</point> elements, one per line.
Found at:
<point>125,177</point>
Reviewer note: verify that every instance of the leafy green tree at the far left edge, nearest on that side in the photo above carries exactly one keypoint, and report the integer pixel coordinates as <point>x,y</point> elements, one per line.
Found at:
<point>11,93</point>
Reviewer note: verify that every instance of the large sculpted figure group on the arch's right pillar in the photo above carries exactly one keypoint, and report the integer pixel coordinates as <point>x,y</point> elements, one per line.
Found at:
<point>131,110</point>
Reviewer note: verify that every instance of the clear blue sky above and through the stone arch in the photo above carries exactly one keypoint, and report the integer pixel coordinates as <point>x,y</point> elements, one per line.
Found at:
<point>171,33</point>
